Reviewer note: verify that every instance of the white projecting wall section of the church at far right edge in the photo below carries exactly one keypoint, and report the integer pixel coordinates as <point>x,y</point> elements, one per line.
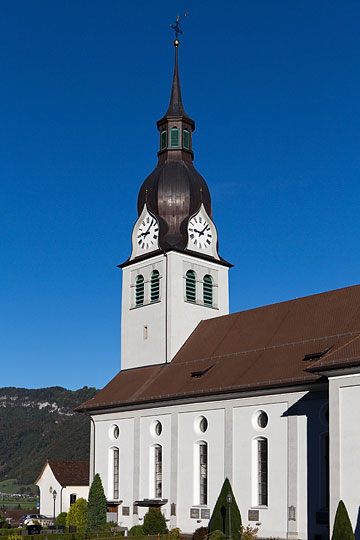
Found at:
<point>344,399</point>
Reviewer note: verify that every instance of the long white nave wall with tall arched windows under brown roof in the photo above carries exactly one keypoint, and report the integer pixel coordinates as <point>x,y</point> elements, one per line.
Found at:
<point>293,425</point>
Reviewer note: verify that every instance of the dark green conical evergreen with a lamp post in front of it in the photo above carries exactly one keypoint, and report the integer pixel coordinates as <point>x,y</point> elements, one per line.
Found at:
<point>220,517</point>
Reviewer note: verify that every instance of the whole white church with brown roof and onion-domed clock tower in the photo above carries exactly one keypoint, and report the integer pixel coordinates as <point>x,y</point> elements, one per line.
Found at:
<point>265,397</point>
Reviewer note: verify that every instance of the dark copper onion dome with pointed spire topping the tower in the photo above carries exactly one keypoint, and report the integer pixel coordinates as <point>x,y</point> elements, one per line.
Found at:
<point>174,190</point>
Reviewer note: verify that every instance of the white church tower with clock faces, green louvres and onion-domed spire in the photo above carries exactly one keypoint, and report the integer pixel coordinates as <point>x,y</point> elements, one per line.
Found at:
<point>174,277</point>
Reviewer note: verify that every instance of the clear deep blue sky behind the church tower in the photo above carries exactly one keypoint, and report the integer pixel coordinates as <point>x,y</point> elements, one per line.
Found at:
<point>274,89</point>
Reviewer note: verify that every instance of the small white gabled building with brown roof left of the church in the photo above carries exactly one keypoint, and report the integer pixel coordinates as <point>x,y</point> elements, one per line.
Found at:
<point>61,483</point>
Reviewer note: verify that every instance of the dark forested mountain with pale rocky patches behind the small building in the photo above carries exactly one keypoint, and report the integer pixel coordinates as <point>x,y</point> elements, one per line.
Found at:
<point>36,425</point>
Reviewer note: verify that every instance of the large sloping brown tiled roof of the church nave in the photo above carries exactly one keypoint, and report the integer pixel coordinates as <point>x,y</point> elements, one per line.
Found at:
<point>254,349</point>
